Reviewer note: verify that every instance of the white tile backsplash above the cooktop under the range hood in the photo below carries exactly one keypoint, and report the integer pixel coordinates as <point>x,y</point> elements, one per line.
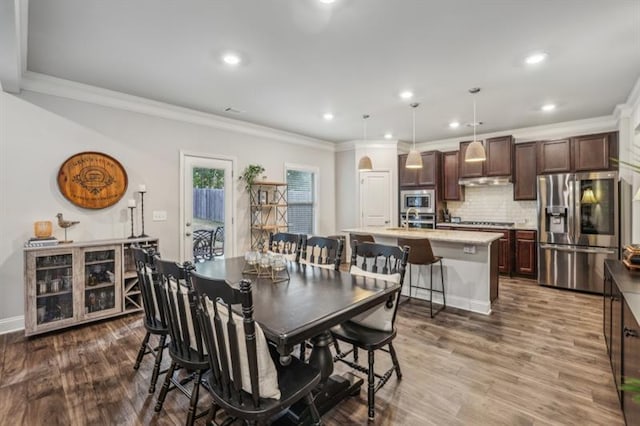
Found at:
<point>493,203</point>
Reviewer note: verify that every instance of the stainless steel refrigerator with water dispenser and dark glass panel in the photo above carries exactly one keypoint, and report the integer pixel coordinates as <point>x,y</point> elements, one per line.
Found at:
<point>577,228</point>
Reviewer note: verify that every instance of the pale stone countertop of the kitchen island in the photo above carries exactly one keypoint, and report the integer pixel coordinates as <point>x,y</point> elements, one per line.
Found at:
<point>451,236</point>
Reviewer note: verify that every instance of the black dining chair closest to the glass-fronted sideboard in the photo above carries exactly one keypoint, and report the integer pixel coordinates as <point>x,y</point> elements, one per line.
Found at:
<point>155,322</point>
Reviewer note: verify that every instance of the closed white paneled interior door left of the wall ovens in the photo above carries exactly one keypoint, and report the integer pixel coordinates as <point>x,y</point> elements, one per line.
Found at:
<point>375,198</point>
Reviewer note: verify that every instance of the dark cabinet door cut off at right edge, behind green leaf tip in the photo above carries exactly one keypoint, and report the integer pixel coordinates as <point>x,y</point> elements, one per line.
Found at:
<point>631,363</point>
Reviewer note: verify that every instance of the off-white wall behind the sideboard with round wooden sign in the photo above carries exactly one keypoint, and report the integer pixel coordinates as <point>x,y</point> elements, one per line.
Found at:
<point>38,132</point>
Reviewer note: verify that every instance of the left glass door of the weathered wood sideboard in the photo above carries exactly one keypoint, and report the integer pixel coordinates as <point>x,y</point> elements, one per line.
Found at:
<point>54,287</point>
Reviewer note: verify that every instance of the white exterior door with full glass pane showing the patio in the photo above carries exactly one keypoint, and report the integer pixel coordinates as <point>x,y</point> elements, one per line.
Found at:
<point>207,205</point>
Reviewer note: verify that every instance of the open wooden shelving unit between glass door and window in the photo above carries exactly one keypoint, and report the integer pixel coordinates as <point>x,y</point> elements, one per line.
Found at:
<point>269,205</point>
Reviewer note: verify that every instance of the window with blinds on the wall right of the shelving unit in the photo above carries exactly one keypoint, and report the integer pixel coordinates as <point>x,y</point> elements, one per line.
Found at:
<point>301,196</point>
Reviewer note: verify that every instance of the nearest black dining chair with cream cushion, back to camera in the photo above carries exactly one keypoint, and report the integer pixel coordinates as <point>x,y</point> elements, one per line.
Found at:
<point>244,380</point>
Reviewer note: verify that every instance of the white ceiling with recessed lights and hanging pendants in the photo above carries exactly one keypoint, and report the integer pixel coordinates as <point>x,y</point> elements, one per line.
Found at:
<point>303,58</point>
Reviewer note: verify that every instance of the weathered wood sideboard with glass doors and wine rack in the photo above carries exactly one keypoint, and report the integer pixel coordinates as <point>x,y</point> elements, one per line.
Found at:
<point>76,283</point>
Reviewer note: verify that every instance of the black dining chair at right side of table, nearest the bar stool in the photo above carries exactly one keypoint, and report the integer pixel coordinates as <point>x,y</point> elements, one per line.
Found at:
<point>374,329</point>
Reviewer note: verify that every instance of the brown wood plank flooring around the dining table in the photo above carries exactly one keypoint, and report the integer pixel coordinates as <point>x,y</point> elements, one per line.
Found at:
<point>540,358</point>
